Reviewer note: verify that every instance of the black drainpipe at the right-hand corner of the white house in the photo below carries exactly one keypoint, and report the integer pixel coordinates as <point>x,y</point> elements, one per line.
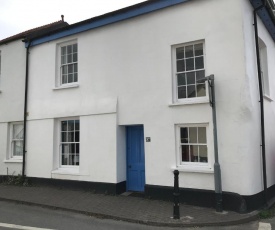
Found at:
<point>261,100</point>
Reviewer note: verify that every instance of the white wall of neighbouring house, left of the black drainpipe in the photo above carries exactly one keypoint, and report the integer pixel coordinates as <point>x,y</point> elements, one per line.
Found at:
<point>12,84</point>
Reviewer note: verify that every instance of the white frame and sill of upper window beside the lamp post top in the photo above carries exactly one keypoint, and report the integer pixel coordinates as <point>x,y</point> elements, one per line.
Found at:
<point>176,100</point>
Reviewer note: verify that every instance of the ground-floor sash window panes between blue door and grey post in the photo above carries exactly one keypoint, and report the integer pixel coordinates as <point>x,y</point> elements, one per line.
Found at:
<point>193,145</point>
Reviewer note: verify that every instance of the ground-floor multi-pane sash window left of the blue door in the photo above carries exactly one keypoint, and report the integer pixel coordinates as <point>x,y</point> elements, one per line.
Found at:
<point>69,144</point>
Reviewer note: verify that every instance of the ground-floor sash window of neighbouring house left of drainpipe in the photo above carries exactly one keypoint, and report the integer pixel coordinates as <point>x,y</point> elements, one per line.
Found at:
<point>17,135</point>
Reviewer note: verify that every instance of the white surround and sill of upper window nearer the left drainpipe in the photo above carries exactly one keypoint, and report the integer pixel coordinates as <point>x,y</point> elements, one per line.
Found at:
<point>58,78</point>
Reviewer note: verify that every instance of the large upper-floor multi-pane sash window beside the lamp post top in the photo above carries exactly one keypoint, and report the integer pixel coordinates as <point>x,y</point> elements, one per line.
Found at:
<point>188,68</point>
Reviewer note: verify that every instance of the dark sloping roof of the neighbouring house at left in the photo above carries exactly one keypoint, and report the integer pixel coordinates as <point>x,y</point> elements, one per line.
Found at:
<point>38,31</point>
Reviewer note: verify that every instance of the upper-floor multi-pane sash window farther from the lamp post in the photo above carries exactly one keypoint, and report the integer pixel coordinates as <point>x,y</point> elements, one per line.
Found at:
<point>68,68</point>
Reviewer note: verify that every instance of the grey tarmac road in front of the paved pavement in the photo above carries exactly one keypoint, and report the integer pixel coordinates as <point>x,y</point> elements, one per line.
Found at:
<point>19,216</point>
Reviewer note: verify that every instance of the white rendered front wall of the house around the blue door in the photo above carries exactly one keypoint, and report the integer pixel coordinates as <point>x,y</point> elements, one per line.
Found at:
<point>125,75</point>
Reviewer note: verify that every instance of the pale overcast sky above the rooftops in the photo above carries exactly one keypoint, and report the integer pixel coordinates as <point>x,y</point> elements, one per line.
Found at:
<point>17,16</point>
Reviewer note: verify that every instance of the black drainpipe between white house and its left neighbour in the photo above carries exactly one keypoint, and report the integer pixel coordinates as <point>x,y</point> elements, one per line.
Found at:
<point>25,108</point>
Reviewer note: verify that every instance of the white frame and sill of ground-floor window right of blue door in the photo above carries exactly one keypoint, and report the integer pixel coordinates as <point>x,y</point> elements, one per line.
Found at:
<point>194,166</point>
